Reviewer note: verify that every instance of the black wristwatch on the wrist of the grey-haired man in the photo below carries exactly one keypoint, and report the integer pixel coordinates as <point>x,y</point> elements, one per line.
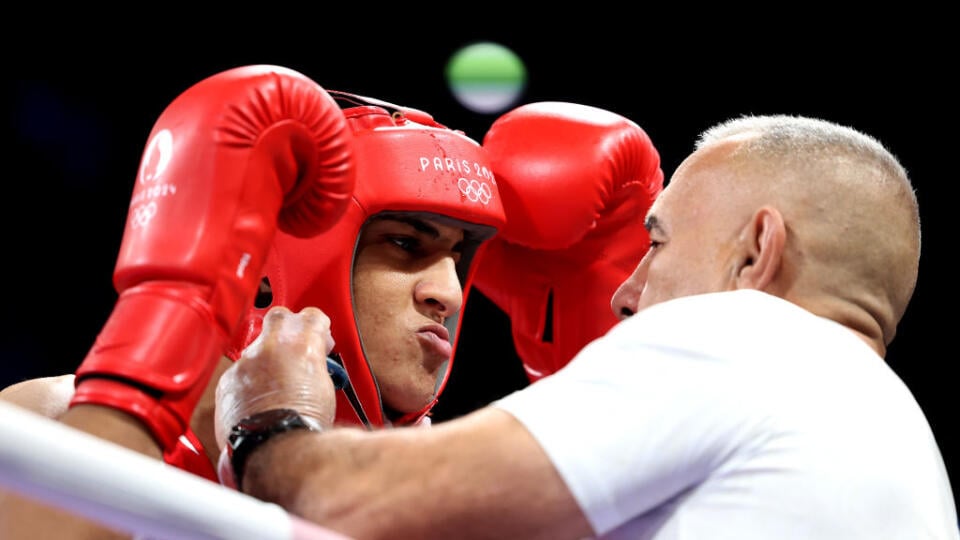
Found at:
<point>258,428</point>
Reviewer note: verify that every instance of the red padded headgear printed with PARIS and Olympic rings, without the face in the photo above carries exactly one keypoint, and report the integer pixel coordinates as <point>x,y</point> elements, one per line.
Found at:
<point>406,162</point>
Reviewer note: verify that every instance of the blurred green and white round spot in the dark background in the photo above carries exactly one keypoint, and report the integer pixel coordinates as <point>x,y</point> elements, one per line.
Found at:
<point>486,77</point>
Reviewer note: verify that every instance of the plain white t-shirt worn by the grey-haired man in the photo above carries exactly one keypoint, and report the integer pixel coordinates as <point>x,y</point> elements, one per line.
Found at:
<point>738,415</point>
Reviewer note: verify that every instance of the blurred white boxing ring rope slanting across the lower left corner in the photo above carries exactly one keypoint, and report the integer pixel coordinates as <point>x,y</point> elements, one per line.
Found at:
<point>127,491</point>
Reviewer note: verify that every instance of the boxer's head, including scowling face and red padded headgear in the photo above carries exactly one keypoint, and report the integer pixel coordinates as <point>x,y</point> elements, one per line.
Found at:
<point>413,173</point>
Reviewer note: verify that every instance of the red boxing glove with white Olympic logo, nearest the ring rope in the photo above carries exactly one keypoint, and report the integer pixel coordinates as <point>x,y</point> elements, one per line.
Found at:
<point>231,159</point>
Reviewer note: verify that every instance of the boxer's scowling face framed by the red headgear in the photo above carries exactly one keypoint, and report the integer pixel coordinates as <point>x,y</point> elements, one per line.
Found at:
<point>405,285</point>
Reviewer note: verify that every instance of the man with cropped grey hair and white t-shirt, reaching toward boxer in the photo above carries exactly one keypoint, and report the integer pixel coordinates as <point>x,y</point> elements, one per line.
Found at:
<point>743,395</point>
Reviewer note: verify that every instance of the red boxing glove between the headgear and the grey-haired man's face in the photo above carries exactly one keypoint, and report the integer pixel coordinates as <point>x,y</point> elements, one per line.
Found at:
<point>576,183</point>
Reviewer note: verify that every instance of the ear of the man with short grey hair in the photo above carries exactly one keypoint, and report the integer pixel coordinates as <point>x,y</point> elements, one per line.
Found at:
<point>765,236</point>
